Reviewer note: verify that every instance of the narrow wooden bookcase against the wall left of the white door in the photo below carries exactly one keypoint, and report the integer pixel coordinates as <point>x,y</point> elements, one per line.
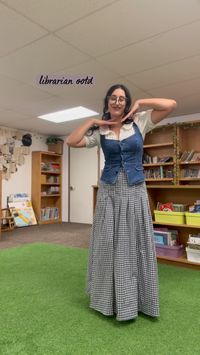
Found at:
<point>47,186</point>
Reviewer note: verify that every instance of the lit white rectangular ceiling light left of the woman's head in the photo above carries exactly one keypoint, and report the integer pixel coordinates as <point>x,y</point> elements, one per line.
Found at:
<point>71,114</point>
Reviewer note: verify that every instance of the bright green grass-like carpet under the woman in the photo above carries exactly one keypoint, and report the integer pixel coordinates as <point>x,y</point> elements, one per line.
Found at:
<point>44,309</point>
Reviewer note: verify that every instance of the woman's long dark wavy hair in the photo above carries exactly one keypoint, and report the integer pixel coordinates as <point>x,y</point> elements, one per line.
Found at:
<point>106,114</point>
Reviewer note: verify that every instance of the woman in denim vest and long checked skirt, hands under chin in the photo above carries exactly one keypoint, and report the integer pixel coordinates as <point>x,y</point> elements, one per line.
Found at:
<point>122,269</point>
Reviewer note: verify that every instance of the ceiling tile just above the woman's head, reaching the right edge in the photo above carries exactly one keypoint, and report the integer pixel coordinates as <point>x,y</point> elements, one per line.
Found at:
<point>157,51</point>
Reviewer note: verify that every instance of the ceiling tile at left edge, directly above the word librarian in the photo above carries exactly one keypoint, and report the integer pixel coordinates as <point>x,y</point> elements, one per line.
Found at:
<point>43,56</point>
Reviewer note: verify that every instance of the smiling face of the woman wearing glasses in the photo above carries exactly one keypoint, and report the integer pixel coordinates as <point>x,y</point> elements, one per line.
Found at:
<point>117,103</point>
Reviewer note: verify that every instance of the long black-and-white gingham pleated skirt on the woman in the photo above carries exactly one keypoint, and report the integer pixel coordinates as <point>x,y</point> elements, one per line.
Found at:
<point>122,268</point>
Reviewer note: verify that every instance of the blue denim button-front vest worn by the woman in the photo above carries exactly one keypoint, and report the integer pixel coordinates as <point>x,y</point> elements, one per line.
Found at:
<point>126,154</point>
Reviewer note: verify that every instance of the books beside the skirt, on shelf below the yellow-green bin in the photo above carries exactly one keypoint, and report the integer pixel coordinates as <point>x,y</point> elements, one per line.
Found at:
<point>163,236</point>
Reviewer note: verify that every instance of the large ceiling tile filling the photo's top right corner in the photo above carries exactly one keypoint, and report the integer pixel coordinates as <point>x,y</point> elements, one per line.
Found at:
<point>103,32</point>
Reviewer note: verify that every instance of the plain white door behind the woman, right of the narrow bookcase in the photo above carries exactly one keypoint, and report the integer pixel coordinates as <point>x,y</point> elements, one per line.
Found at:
<point>83,174</point>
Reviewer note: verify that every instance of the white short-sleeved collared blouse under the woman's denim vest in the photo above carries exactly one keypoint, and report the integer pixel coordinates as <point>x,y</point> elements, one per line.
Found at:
<point>142,119</point>
